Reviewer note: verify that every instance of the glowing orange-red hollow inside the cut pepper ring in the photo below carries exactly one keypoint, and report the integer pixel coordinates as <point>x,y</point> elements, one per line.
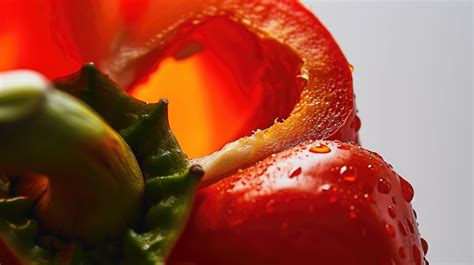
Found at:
<point>222,88</point>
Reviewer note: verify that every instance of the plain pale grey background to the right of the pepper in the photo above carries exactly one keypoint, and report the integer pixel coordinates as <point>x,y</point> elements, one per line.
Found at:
<point>413,82</point>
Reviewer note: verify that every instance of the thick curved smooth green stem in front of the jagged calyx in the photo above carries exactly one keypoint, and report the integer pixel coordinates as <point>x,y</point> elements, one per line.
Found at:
<point>95,186</point>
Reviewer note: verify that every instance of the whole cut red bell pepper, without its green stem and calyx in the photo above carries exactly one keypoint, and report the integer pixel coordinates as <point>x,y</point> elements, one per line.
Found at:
<point>322,202</point>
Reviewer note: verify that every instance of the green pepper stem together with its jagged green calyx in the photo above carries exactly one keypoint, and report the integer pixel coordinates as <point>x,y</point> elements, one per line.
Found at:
<point>167,186</point>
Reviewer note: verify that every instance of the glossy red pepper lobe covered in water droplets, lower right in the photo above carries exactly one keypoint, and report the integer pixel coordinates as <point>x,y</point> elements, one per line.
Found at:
<point>321,202</point>
